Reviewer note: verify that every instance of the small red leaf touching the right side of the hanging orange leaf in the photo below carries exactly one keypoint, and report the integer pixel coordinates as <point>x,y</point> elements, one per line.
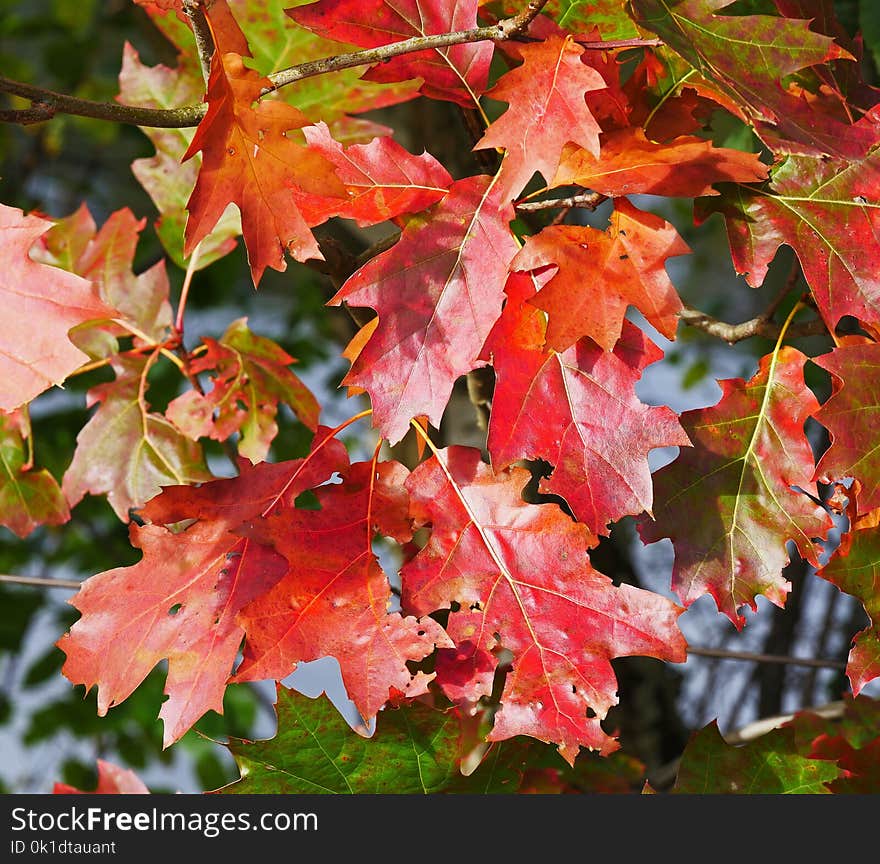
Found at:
<point>383,179</point>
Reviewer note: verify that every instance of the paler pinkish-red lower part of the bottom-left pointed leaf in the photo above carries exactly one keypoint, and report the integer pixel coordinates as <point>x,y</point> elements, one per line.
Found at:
<point>178,603</point>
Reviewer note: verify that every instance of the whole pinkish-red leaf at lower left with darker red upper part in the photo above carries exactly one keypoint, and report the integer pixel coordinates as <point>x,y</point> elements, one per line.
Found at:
<point>180,602</point>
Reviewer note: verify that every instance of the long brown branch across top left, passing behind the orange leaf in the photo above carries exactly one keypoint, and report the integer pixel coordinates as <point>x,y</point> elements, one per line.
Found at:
<point>191,115</point>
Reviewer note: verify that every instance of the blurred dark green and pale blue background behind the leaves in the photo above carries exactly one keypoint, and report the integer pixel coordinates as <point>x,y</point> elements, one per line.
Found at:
<point>48,730</point>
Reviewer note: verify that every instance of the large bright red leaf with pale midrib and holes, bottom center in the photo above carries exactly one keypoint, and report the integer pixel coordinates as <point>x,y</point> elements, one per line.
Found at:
<point>519,578</point>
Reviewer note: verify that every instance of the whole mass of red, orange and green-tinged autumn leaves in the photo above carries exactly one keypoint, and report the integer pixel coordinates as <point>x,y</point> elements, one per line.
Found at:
<point>235,562</point>
